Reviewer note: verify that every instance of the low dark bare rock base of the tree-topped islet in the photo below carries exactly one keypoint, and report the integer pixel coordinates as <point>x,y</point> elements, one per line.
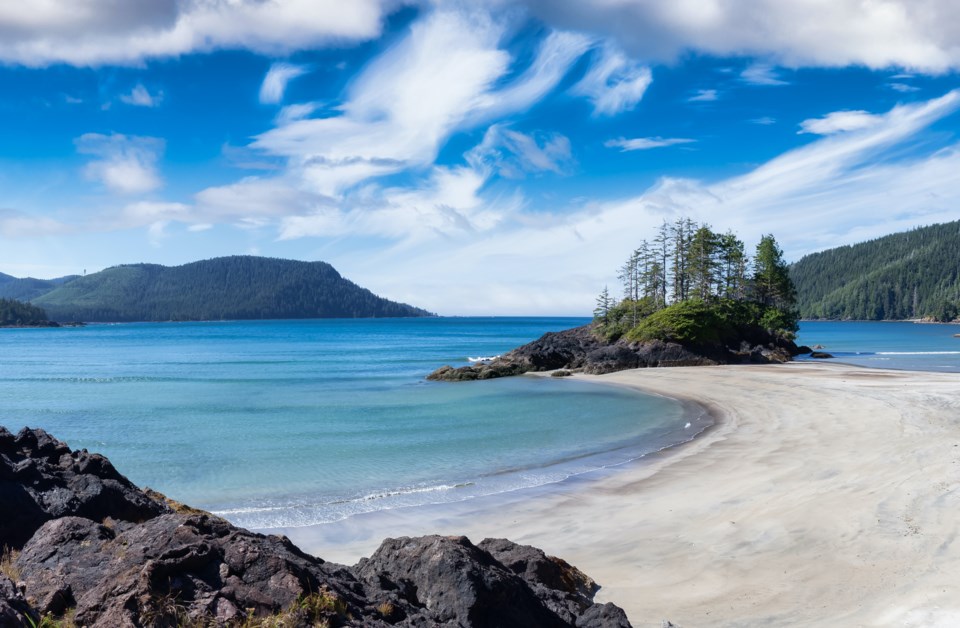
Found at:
<point>580,350</point>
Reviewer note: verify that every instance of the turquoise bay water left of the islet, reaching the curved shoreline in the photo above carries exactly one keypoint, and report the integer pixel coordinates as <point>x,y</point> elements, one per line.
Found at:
<point>290,423</point>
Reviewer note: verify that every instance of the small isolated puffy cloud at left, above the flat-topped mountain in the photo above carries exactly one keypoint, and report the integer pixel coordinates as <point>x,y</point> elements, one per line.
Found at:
<point>124,164</point>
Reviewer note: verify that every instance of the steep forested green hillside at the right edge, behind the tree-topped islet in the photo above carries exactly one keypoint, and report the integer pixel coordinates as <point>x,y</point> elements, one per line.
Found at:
<point>915,274</point>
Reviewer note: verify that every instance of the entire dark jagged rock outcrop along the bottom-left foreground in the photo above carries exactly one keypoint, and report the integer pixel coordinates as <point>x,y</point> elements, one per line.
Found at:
<point>83,542</point>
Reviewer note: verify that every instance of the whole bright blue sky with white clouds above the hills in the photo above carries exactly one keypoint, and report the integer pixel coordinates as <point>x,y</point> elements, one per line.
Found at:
<point>470,158</point>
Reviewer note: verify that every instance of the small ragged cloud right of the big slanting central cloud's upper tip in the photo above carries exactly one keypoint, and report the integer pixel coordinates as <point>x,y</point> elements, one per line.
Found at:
<point>614,82</point>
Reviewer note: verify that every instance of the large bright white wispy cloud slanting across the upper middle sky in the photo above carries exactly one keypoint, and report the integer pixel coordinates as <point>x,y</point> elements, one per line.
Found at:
<point>388,124</point>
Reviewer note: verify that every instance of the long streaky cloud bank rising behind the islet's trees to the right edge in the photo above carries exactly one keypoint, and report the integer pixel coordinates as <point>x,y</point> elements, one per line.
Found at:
<point>839,189</point>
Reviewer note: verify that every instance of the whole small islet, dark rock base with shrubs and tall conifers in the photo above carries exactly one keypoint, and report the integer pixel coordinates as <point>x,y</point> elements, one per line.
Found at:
<point>690,299</point>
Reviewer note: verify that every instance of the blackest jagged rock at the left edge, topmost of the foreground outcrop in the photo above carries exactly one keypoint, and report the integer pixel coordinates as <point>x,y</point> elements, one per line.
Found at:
<point>42,479</point>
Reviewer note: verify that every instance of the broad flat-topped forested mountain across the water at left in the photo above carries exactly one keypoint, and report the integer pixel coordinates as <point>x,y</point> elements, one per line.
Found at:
<point>240,287</point>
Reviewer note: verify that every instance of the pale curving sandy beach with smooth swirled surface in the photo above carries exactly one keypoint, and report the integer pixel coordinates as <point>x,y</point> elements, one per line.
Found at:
<point>826,495</point>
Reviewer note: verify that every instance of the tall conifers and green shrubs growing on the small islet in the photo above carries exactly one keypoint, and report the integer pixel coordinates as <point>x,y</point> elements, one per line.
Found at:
<point>691,285</point>
